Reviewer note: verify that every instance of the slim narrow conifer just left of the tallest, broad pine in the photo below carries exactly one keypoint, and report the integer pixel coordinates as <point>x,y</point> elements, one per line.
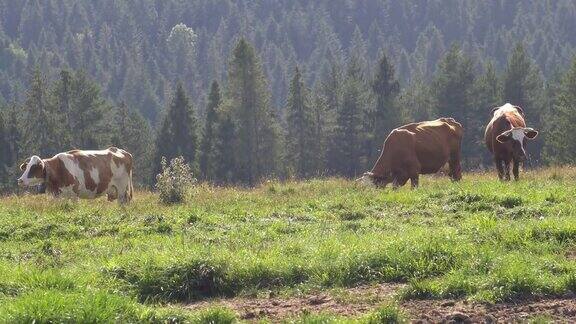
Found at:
<point>210,131</point>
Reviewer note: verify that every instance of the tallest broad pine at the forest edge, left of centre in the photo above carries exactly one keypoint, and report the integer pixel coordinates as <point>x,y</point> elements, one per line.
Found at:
<point>256,125</point>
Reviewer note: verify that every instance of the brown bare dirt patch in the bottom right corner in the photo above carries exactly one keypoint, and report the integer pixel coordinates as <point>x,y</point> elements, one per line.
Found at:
<point>451,311</point>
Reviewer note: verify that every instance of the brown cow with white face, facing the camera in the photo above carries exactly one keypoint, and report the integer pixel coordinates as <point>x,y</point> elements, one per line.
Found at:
<point>506,137</point>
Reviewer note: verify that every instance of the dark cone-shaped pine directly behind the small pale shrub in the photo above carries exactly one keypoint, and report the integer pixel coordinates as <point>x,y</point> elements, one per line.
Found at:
<point>178,133</point>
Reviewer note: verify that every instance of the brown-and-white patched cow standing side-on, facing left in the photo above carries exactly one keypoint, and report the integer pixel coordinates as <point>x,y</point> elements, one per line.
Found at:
<point>82,174</point>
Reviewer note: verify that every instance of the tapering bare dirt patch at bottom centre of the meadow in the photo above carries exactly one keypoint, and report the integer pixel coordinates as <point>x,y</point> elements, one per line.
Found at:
<point>347,302</point>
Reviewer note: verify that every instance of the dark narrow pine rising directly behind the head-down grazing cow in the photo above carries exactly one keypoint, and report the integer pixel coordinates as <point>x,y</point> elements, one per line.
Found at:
<point>386,115</point>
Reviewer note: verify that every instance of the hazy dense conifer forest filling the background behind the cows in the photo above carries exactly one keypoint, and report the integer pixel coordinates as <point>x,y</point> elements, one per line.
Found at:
<point>249,90</point>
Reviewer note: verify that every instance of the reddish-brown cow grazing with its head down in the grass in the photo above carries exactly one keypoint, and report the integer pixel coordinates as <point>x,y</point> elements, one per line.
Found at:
<point>418,148</point>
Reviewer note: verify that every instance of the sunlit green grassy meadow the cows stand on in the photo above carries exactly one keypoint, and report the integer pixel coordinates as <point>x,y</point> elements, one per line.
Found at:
<point>480,239</point>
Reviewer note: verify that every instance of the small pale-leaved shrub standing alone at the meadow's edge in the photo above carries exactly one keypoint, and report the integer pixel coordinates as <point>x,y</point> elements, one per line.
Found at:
<point>174,181</point>
